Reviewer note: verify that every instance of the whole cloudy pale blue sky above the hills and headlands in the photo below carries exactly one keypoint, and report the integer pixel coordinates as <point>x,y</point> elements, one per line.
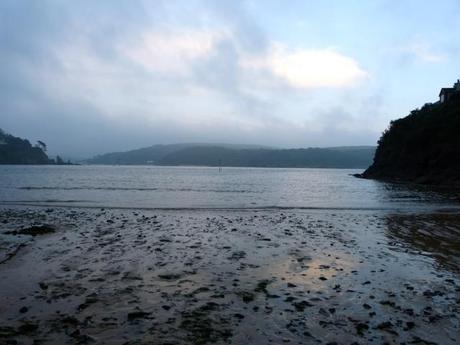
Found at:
<point>89,77</point>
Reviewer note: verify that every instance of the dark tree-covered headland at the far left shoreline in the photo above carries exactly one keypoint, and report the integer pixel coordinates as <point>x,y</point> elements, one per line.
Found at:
<point>14,150</point>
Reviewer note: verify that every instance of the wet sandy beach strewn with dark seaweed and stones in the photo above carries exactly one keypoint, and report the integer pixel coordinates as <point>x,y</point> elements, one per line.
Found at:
<point>228,277</point>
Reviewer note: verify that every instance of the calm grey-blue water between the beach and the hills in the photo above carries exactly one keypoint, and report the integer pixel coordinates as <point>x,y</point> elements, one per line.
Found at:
<point>201,187</point>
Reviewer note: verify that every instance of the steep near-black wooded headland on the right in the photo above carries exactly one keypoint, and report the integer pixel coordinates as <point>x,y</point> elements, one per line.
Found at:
<point>423,147</point>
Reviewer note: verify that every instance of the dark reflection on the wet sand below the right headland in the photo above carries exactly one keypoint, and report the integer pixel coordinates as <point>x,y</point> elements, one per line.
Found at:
<point>435,235</point>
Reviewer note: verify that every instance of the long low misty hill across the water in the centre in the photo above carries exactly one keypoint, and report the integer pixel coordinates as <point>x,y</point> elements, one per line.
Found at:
<point>241,155</point>
